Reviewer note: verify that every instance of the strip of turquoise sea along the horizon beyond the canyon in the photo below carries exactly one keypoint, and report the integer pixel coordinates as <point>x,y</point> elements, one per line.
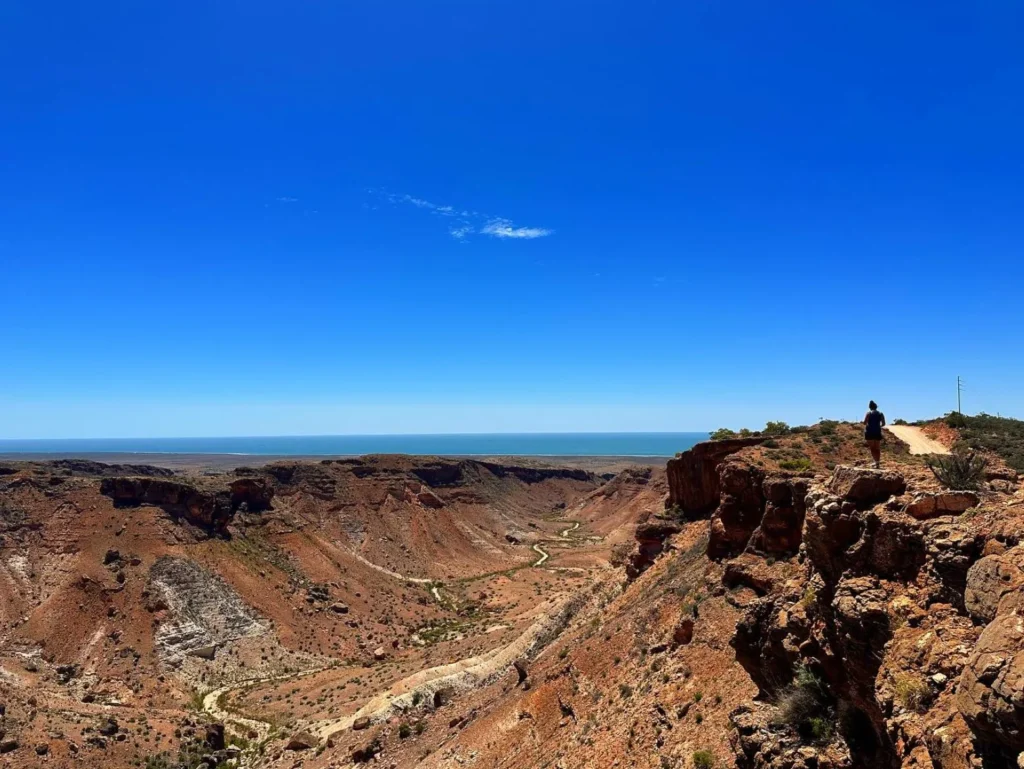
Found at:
<point>524,445</point>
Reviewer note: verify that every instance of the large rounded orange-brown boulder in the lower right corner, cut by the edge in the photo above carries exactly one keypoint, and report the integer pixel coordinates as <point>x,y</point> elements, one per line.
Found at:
<point>991,695</point>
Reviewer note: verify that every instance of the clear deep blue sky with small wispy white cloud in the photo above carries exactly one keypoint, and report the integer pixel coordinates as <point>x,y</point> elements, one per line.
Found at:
<point>330,218</point>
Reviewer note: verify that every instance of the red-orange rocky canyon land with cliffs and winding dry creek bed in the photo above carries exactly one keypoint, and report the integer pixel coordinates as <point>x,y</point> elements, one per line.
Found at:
<point>759,603</point>
